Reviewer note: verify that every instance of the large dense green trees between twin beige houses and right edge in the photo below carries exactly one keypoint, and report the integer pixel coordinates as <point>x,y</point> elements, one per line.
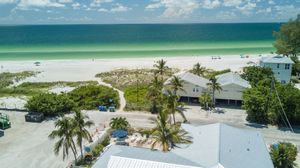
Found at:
<point>268,100</point>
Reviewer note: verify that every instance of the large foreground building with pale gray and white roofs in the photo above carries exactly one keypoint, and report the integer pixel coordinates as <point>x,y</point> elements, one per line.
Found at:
<point>214,146</point>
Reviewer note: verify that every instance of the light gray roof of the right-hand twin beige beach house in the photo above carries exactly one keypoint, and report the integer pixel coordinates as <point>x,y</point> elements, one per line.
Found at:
<point>232,78</point>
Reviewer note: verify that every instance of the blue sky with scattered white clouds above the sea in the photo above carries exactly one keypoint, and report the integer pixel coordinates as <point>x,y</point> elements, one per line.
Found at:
<point>146,11</point>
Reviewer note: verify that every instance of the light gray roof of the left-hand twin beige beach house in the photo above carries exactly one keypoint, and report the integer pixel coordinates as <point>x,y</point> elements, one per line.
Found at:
<point>190,78</point>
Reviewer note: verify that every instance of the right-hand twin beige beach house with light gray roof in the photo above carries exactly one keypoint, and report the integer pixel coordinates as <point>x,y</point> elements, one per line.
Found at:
<point>233,87</point>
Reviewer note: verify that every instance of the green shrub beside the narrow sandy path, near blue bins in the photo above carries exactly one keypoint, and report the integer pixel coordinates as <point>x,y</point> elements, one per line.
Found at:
<point>89,97</point>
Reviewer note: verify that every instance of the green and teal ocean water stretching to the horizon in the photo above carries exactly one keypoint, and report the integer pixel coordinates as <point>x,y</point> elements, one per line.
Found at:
<point>40,42</point>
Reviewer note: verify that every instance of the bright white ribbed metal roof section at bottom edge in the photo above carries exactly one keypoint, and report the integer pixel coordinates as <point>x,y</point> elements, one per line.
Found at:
<point>123,162</point>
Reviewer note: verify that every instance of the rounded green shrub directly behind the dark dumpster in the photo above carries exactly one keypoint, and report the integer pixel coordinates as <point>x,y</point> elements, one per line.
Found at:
<point>50,104</point>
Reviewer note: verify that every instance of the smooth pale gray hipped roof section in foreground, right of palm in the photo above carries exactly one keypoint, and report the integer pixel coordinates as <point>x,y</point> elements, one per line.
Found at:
<point>222,145</point>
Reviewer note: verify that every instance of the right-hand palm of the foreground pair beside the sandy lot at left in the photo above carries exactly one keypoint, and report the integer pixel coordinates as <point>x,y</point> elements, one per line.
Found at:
<point>81,131</point>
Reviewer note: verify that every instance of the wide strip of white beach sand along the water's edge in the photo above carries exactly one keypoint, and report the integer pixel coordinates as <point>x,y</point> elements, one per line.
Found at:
<point>86,69</point>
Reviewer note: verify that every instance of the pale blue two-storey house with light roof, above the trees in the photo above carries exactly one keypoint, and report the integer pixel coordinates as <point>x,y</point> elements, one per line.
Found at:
<point>280,65</point>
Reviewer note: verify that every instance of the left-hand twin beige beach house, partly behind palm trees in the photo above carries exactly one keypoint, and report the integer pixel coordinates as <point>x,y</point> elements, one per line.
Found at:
<point>193,86</point>
